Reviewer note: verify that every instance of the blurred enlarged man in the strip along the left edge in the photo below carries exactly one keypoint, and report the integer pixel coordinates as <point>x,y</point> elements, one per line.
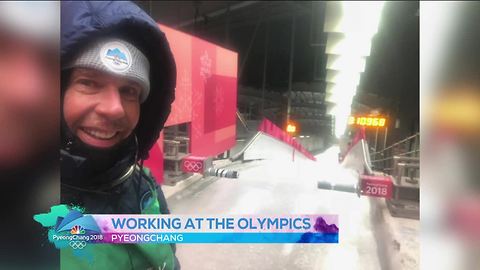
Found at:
<point>29,133</point>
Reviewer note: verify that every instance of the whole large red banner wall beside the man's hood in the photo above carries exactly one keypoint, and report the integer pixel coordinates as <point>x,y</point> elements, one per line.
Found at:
<point>205,97</point>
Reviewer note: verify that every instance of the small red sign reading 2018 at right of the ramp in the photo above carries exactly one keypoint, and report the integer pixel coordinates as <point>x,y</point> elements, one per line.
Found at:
<point>376,186</point>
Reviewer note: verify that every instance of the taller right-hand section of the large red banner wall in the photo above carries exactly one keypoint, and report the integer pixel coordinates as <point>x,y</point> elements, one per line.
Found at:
<point>214,99</point>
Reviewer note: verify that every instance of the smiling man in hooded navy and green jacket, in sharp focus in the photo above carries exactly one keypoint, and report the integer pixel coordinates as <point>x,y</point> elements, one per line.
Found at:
<point>118,79</point>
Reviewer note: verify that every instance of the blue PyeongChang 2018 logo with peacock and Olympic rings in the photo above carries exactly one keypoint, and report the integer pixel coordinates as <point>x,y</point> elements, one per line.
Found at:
<point>76,229</point>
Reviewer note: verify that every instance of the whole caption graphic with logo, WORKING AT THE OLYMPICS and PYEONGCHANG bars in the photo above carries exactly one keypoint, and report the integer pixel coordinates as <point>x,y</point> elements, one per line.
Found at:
<point>70,227</point>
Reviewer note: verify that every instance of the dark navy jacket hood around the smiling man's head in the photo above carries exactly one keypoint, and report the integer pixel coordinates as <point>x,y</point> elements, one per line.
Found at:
<point>83,22</point>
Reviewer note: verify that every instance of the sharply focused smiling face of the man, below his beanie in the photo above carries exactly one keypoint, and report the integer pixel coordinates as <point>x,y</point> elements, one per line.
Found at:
<point>101,109</point>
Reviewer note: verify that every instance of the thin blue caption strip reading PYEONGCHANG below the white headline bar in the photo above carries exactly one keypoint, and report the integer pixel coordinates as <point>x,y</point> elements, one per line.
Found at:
<point>308,237</point>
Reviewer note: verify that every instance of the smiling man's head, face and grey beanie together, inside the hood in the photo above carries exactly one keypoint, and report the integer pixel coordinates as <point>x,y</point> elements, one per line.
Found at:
<point>102,101</point>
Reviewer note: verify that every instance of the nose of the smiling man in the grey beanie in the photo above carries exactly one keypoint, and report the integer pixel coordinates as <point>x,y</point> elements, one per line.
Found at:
<point>110,104</point>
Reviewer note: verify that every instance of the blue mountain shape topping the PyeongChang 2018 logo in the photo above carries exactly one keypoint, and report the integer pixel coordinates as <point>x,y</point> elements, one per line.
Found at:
<point>75,218</point>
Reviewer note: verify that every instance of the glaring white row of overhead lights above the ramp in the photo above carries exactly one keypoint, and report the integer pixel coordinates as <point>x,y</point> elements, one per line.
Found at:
<point>347,52</point>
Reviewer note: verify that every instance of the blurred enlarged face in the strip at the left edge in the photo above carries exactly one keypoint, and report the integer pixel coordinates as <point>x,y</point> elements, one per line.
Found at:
<point>29,100</point>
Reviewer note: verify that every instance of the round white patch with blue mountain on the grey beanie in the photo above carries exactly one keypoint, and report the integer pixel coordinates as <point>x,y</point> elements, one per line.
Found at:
<point>116,57</point>
